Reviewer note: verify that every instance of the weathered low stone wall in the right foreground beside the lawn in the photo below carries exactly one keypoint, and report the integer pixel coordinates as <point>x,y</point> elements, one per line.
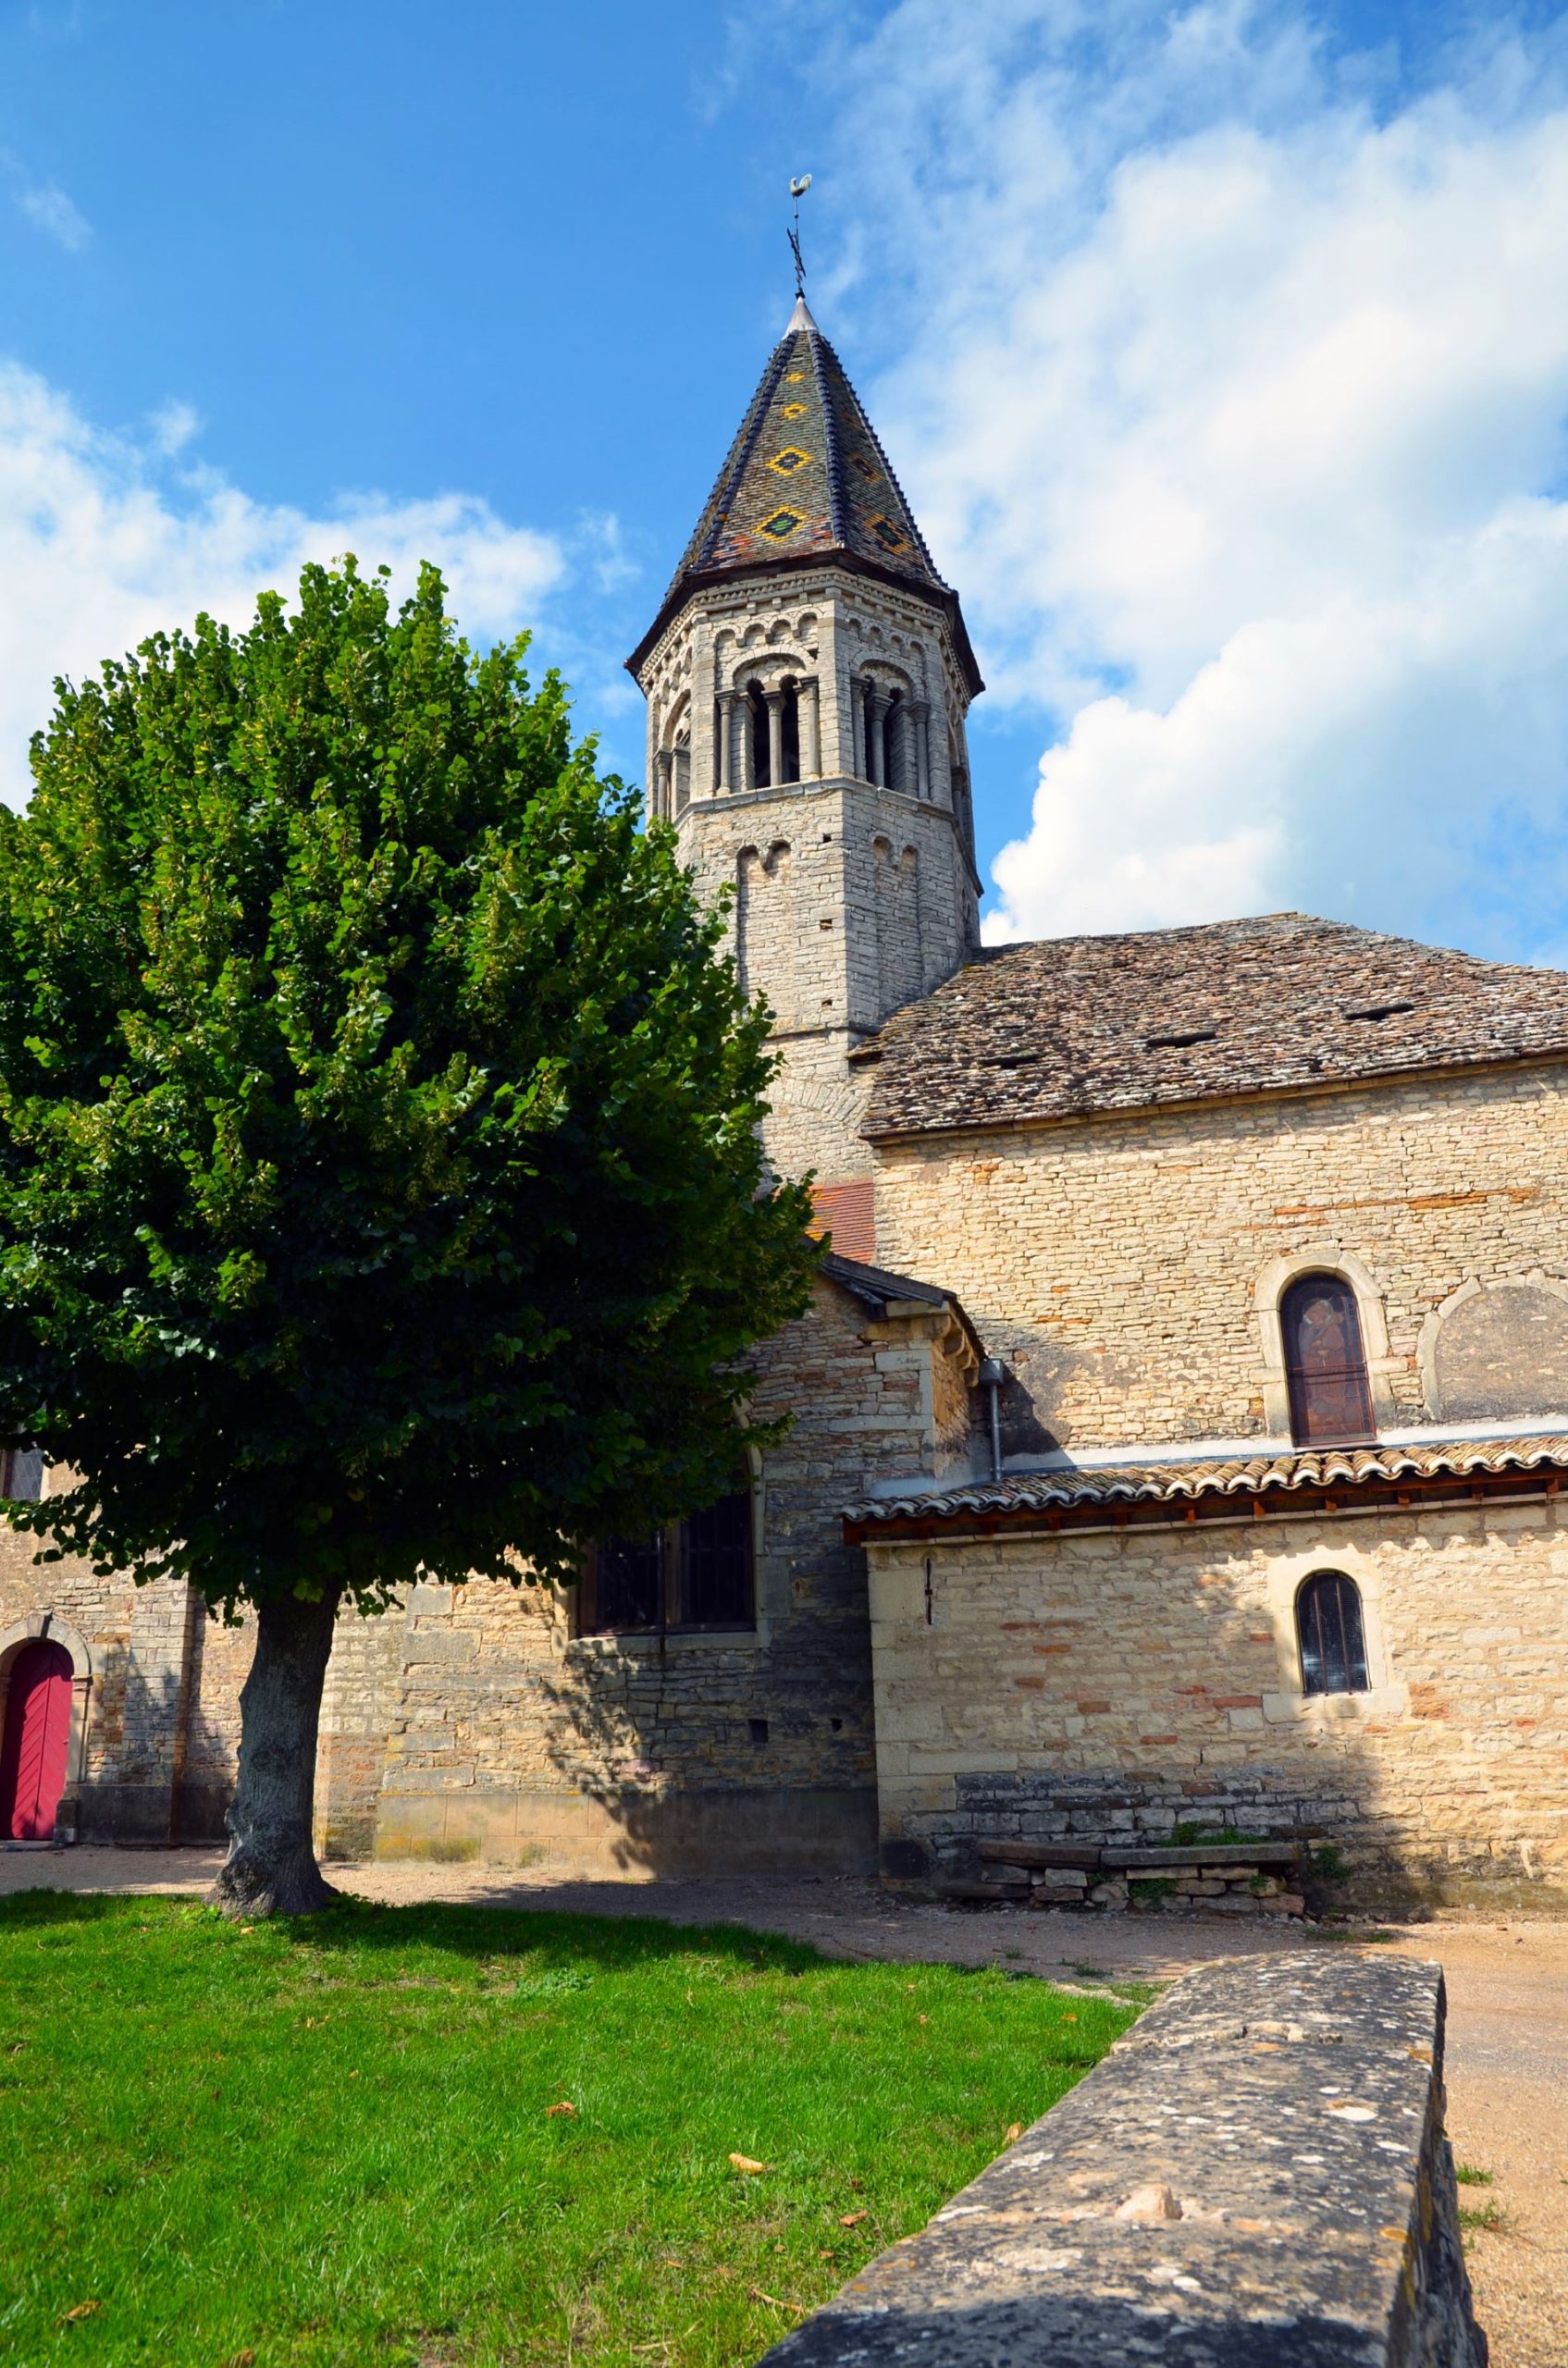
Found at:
<point>1257,2177</point>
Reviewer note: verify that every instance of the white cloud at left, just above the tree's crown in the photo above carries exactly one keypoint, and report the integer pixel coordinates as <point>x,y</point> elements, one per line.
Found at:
<point>101,543</point>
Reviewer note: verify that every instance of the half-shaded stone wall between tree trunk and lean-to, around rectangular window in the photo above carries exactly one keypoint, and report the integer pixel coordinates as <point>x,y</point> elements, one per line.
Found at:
<point>513,1739</point>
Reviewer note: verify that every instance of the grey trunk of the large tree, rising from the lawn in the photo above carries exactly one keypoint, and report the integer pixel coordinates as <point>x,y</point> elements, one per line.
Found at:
<point>271,1867</point>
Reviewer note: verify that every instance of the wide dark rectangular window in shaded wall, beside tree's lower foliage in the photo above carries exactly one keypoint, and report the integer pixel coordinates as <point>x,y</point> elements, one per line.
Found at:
<point>695,1576</point>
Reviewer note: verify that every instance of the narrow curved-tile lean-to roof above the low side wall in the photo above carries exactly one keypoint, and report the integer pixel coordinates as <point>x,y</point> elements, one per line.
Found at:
<point>1242,1476</point>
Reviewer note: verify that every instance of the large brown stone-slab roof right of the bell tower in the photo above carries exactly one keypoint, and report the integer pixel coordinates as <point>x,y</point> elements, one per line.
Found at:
<point>1072,1027</point>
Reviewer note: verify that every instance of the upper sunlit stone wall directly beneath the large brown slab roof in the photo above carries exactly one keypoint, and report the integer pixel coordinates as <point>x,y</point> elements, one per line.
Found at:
<point>1114,1261</point>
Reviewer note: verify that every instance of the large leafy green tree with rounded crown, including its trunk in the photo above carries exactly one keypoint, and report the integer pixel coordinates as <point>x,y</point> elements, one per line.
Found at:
<point>380,1176</point>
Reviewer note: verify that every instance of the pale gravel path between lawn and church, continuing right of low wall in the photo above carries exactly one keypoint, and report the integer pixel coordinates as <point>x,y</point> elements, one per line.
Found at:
<point>1508,2047</point>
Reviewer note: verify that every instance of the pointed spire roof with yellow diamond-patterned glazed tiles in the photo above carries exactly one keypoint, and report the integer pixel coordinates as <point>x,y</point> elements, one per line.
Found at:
<point>807,475</point>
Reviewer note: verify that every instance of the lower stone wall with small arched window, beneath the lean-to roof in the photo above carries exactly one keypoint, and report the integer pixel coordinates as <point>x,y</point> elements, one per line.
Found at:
<point>1110,1685</point>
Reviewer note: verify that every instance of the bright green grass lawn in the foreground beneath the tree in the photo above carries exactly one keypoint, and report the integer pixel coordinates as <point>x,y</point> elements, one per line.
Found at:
<point>333,2139</point>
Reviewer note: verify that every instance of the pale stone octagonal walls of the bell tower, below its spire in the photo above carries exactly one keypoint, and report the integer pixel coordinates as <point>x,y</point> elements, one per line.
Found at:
<point>849,899</point>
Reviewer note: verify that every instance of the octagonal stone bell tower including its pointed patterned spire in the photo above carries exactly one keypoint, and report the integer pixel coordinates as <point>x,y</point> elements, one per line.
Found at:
<point>809,681</point>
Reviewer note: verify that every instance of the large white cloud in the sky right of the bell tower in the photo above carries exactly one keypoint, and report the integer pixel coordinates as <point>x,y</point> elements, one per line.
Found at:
<point>1238,418</point>
